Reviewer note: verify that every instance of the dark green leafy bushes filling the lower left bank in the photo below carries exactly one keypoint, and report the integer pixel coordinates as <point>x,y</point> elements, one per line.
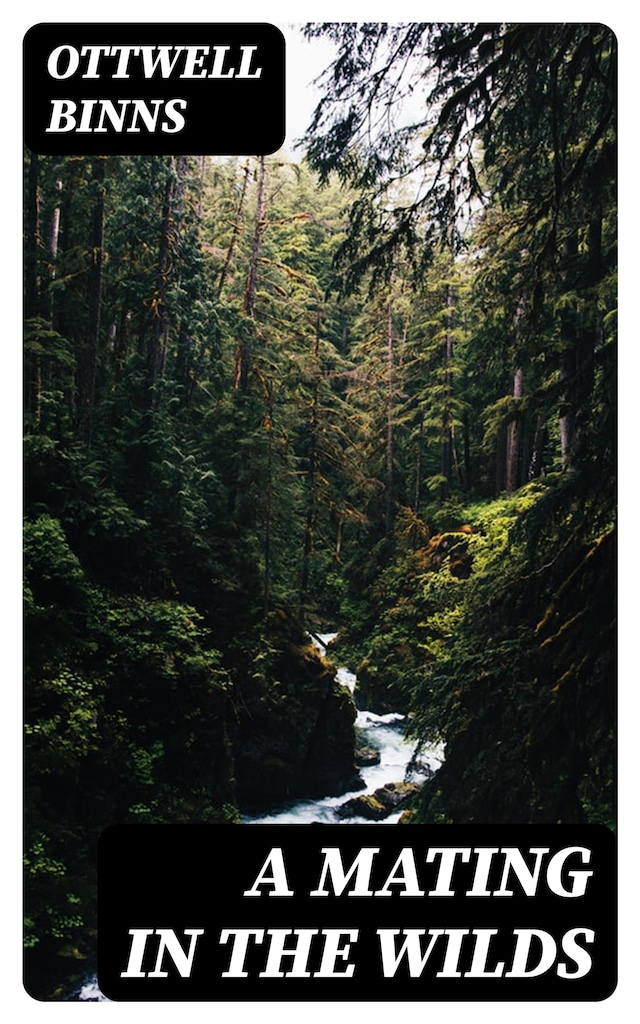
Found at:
<point>124,711</point>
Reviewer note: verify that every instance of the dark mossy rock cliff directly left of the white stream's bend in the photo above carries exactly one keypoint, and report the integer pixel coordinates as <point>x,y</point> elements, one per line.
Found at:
<point>295,735</point>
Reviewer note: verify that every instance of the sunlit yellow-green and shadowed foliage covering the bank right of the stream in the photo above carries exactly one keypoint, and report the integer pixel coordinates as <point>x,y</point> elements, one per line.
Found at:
<point>498,638</point>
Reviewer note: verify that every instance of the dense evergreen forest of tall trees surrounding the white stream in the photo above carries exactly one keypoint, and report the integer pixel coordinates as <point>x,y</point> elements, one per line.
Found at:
<point>370,390</point>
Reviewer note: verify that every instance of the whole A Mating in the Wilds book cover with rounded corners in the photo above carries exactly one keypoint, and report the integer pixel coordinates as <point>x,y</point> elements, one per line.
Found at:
<point>320,508</point>
